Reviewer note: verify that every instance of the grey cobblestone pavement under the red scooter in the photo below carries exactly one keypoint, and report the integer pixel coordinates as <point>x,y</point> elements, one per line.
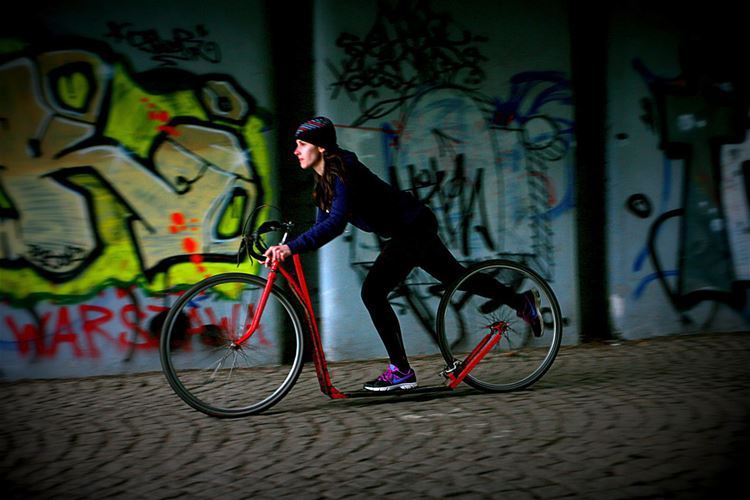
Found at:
<point>663,418</point>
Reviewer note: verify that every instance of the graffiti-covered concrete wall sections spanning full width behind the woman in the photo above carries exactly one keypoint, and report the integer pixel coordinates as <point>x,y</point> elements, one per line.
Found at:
<point>132,136</point>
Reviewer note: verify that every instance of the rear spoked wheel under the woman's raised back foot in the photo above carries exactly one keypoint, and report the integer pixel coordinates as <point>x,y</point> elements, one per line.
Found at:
<point>465,317</point>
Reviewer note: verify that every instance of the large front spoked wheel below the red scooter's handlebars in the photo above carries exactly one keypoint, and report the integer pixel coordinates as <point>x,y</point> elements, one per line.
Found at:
<point>205,366</point>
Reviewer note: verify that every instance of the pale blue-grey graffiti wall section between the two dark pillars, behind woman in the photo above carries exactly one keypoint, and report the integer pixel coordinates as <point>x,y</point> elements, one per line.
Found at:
<point>471,111</point>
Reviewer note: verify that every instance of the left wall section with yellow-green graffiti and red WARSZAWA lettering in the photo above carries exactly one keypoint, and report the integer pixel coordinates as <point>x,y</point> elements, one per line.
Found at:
<point>132,146</point>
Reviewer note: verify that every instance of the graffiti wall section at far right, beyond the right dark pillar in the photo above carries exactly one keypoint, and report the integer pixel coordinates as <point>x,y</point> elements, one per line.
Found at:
<point>678,164</point>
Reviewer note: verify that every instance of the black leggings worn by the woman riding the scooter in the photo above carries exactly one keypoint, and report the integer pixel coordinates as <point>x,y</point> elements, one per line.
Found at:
<point>417,246</point>
